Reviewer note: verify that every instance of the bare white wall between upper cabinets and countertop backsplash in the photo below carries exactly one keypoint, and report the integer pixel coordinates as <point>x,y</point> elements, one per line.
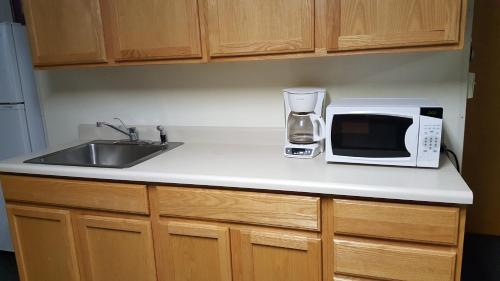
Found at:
<point>244,94</point>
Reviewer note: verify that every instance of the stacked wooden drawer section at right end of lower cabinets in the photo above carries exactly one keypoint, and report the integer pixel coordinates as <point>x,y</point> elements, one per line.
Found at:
<point>394,241</point>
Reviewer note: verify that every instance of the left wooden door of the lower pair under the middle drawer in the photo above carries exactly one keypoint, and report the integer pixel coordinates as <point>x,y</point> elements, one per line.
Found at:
<point>193,252</point>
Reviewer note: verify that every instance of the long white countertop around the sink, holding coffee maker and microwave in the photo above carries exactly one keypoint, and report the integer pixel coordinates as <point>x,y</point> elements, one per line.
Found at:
<point>264,167</point>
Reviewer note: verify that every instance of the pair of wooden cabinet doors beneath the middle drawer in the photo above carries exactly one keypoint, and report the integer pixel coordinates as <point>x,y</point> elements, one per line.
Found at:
<point>205,251</point>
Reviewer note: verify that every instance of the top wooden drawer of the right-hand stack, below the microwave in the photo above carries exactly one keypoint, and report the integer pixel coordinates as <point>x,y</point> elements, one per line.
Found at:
<point>397,221</point>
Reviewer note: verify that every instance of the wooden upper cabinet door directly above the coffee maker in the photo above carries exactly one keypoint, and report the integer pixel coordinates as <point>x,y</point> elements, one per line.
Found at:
<point>250,27</point>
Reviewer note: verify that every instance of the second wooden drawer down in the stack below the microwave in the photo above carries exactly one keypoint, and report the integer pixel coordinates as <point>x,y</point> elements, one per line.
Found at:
<point>393,260</point>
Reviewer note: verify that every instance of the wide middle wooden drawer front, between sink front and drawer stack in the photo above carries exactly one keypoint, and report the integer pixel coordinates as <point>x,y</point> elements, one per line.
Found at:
<point>291,211</point>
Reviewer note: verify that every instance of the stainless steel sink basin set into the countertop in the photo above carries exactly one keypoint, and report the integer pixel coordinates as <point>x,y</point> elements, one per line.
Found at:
<point>105,154</point>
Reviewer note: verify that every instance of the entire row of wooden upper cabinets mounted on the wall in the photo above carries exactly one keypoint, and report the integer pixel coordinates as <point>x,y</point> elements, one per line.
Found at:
<point>131,32</point>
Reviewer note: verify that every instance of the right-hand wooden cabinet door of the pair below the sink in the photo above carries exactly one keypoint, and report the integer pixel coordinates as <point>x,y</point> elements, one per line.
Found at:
<point>116,249</point>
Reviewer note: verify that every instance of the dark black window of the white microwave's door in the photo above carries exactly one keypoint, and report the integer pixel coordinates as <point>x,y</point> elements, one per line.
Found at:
<point>370,135</point>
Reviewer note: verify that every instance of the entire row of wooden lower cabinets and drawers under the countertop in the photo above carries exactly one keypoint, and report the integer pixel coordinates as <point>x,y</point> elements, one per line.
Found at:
<point>224,235</point>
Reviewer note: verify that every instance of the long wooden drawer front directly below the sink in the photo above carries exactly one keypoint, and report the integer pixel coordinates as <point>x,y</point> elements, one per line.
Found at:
<point>127,198</point>
